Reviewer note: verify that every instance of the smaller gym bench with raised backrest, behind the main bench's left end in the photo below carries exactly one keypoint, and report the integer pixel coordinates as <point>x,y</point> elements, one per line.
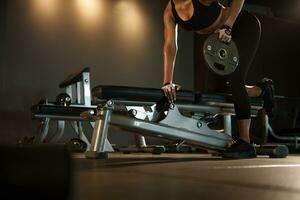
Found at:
<point>67,108</point>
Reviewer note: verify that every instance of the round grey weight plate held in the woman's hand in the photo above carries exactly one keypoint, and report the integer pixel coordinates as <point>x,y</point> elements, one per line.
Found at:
<point>221,58</point>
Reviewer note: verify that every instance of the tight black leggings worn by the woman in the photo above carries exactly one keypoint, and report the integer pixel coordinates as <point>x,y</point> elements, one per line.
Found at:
<point>246,35</point>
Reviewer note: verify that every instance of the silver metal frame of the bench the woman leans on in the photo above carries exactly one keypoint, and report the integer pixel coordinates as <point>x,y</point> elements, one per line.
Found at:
<point>133,116</point>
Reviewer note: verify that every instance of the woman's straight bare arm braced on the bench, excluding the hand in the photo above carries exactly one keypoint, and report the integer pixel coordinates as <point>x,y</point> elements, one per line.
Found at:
<point>170,44</point>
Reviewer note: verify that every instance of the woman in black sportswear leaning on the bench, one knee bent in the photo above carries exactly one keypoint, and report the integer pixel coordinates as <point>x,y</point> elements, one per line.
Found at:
<point>206,17</point>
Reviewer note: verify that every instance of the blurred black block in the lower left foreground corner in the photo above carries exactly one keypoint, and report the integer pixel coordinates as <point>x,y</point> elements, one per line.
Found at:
<point>35,172</point>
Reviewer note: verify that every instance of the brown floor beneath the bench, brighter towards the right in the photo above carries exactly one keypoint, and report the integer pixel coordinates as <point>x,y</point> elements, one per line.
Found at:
<point>185,176</point>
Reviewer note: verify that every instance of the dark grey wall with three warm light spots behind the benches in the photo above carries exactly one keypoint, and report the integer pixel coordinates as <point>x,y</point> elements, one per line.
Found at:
<point>119,40</point>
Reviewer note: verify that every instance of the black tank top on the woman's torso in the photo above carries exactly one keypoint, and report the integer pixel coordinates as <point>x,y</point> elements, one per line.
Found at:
<point>203,16</point>
